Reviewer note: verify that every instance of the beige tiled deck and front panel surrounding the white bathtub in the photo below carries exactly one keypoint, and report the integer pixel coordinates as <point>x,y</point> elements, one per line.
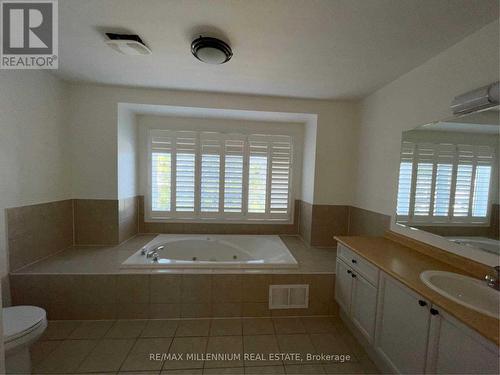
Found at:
<point>88,283</point>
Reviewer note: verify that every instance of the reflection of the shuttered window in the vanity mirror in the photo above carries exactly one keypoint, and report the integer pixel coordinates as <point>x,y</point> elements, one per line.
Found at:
<point>444,183</point>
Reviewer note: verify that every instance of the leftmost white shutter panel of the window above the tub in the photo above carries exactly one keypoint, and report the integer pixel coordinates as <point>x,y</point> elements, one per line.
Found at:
<point>161,171</point>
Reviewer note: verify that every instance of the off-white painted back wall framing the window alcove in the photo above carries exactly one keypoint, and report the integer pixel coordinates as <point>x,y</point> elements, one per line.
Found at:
<point>94,135</point>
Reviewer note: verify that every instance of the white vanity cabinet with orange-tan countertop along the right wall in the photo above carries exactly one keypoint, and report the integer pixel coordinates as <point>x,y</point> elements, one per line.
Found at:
<point>406,326</point>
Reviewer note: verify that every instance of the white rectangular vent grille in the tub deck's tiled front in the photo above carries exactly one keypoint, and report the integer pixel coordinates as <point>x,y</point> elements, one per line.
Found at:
<point>289,296</point>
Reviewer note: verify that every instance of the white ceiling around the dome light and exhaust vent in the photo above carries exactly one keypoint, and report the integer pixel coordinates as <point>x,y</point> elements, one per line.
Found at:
<point>310,49</point>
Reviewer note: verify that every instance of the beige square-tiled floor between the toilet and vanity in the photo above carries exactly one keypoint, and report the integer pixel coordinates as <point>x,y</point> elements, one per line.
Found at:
<point>124,346</point>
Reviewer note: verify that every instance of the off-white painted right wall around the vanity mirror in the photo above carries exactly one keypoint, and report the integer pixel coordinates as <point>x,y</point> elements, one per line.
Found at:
<point>418,97</point>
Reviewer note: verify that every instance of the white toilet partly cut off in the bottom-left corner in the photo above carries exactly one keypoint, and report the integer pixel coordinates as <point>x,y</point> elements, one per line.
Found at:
<point>22,326</point>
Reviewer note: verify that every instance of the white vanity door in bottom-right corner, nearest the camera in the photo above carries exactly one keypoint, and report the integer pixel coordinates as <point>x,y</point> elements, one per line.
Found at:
<point>456,349</point>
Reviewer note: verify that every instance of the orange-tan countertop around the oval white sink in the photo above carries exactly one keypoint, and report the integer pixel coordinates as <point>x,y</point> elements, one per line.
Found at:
<point>405,264</point>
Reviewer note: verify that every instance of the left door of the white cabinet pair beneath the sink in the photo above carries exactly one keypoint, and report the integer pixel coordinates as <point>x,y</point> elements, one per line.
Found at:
<point>402,327</point>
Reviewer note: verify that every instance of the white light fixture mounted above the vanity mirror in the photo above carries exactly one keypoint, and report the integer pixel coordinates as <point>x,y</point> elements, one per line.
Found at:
<point>482,98</point>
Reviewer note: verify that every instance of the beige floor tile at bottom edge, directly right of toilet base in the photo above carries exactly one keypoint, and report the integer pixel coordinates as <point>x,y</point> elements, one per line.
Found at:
<point>66,357</point>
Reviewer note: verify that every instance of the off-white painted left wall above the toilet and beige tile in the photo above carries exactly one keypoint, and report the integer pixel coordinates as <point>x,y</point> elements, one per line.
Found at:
<point>34,166</point>
